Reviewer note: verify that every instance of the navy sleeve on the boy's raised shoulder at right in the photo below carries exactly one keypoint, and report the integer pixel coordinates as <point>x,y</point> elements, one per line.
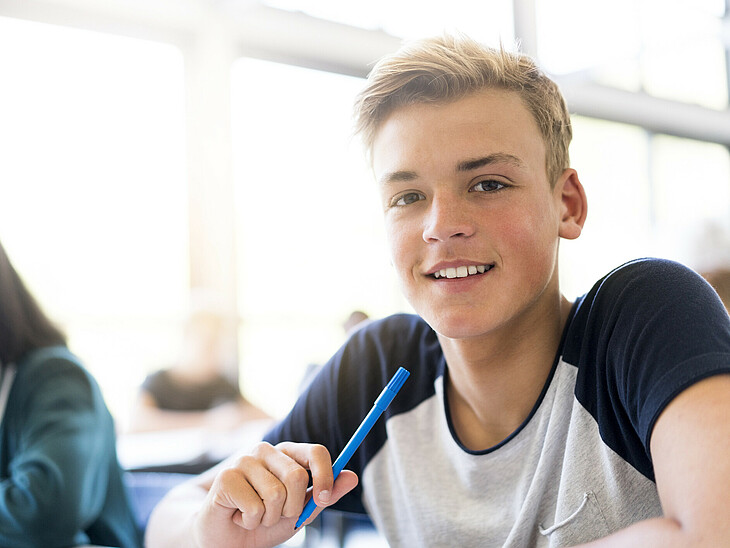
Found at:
<point>644,333</point>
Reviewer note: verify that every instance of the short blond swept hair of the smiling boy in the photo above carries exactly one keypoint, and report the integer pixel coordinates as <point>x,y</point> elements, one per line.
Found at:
<point>451,67</point>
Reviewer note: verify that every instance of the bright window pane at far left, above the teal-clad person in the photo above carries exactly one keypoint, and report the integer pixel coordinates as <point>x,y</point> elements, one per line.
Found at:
<point>93,205</point>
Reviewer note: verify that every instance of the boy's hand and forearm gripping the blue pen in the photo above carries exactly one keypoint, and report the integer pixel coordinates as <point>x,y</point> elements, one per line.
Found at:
<point>248,501</point>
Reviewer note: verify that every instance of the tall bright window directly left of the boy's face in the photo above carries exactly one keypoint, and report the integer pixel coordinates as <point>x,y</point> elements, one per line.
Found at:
<point>310,238</point>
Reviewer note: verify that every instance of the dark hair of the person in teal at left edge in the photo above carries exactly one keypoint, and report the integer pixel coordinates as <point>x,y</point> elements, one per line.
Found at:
<point>23,325</point>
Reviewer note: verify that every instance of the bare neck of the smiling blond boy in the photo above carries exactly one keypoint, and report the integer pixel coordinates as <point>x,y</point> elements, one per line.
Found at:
<point>495,380</point>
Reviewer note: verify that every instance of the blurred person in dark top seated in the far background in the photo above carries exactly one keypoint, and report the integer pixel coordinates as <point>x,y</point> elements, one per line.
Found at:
<point>194,391</point>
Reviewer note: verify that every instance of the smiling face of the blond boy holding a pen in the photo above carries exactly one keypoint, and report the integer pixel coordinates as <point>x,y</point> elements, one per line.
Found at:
<point>471,219</point>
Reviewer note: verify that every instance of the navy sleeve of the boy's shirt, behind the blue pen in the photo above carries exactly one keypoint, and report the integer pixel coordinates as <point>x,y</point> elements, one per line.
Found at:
<point>344,390</point>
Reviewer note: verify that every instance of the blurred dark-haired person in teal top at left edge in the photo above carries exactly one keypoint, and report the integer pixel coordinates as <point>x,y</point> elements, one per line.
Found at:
<point>60,481</point>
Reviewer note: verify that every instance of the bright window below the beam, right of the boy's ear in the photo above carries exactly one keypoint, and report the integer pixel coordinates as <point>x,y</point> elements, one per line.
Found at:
<point>647,196</point>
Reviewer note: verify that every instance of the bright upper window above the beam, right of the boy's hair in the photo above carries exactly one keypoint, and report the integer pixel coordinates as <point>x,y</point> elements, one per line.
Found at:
<point>672,50</point>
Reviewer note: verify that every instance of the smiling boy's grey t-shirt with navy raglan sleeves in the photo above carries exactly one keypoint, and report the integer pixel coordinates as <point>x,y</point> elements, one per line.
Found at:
<point>577,469</point>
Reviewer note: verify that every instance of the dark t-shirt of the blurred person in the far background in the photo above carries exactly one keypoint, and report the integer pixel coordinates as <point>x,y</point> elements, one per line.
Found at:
<point>171,394</point>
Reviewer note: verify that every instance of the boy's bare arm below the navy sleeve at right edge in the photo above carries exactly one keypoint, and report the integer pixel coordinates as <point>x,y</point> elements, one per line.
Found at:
<point>690,445</point>
